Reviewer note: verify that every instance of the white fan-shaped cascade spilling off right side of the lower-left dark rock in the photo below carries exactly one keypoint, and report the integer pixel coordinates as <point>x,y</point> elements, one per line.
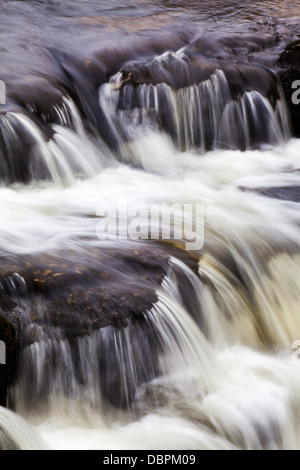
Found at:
<point>188,362</point>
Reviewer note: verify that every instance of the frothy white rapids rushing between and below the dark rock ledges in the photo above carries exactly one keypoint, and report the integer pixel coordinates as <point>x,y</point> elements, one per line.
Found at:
<point>236,388</point>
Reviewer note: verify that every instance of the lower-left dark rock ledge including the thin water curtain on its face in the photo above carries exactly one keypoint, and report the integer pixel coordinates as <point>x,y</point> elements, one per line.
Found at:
<point>85,315</point>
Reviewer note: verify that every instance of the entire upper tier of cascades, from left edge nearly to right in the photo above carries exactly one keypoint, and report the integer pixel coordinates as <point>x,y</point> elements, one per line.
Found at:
<point>201,117</point>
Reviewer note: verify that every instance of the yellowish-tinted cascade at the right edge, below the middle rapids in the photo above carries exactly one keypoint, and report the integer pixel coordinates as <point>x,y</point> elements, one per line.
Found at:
<point>253,315</point>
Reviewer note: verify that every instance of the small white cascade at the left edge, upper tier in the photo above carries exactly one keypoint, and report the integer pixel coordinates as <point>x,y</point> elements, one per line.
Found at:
<point>60,152</point>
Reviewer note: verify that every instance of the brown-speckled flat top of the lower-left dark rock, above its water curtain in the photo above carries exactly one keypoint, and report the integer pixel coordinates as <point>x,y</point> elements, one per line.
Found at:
<point>99,287</point>
